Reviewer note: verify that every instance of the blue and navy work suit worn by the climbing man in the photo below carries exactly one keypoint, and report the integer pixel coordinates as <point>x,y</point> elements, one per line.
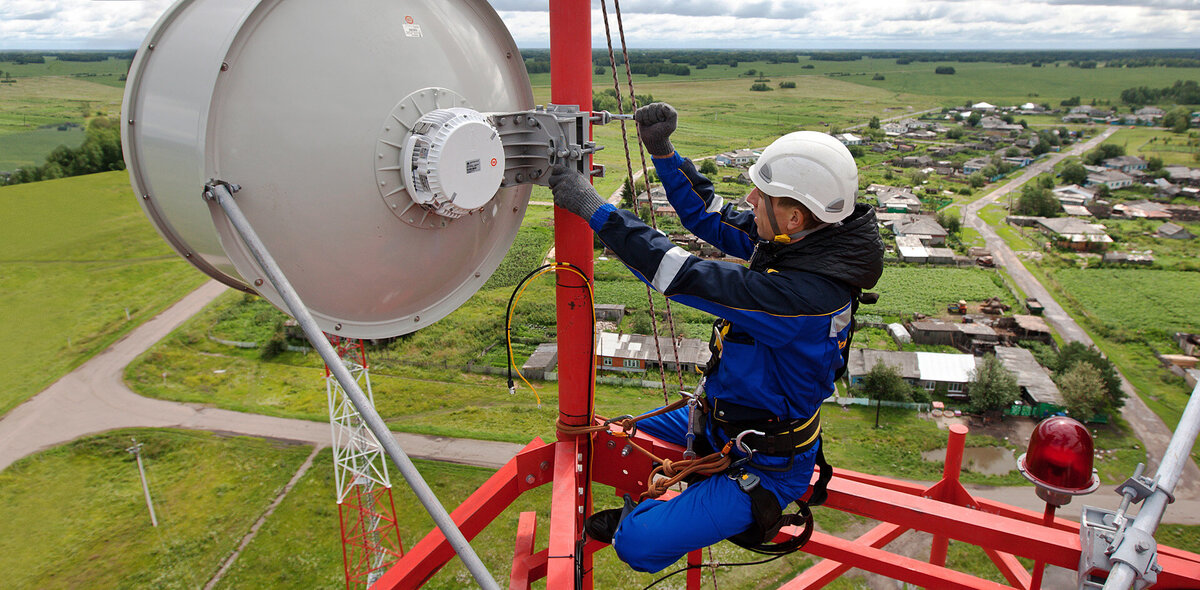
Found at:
<point>790,314</point>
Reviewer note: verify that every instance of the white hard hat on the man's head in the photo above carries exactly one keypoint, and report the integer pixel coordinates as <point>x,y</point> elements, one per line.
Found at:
<point>812,168</point>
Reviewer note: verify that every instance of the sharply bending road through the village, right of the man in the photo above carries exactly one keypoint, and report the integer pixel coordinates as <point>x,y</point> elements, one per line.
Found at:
<point>1149,428</point>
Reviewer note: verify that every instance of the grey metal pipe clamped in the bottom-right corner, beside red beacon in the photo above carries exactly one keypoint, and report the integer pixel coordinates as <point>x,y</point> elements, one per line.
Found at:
<point>1168,475</point>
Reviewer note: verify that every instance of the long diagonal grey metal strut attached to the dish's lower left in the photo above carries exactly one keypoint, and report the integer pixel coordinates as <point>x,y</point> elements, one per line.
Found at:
<point>221,195</point>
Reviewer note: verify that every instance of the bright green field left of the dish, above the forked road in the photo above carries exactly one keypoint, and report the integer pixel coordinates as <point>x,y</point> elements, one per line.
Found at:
<point>76,257</point>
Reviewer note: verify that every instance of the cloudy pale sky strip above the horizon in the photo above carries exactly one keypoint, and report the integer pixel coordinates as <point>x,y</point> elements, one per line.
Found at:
<point>728,25</point>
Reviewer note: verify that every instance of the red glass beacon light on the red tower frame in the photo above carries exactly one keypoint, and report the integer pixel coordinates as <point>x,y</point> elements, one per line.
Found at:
<point>1059,461</point>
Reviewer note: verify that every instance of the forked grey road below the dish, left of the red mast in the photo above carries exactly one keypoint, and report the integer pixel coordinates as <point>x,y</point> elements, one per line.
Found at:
<point>94,399</point>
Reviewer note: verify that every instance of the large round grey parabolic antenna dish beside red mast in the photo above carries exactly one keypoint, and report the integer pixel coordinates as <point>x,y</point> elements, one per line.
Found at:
<point>309,107</point>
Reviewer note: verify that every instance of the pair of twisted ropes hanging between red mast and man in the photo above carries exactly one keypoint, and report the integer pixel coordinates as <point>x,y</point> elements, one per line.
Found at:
<point>633,188</point>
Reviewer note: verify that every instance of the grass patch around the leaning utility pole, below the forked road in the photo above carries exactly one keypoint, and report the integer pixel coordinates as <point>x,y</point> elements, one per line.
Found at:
<point>75,516</point>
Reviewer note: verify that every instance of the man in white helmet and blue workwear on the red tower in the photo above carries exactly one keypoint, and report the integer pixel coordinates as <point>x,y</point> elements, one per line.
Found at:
<point>784,322</point>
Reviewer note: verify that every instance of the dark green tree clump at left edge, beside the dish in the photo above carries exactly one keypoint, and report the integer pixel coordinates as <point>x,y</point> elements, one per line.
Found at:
<point>101,152</point>
